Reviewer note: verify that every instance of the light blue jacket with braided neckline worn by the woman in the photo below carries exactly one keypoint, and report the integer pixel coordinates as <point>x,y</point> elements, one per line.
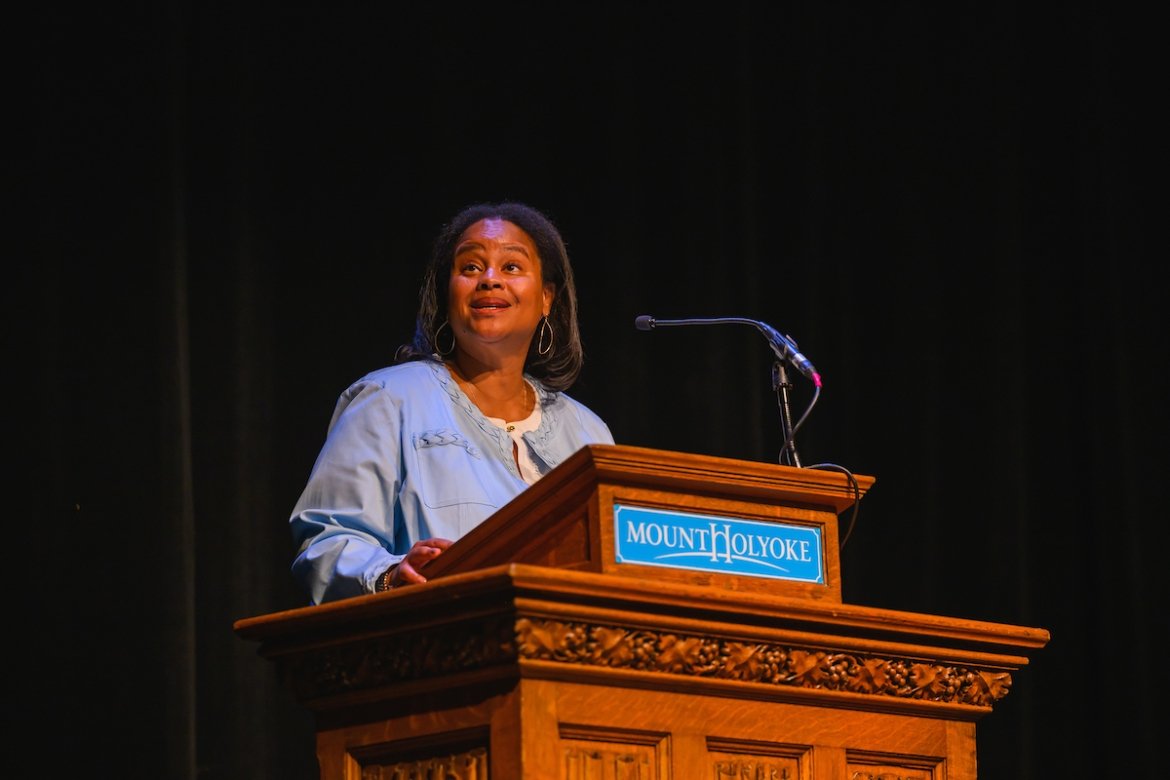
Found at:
<point>408,457</point>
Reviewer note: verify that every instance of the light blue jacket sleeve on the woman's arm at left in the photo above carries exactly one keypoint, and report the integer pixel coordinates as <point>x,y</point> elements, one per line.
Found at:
<point>345,522</point>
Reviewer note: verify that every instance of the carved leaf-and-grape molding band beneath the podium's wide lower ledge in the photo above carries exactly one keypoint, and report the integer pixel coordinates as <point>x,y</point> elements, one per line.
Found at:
<point>501,641</point>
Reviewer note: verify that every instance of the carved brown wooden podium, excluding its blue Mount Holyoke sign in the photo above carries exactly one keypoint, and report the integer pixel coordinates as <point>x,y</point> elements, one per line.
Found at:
<point>538,652</point>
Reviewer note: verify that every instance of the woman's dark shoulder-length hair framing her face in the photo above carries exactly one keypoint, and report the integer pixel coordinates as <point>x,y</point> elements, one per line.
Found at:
<point>560,368</point>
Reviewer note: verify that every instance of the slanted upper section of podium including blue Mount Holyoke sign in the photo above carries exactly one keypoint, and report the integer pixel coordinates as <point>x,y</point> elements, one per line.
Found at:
<point>631,512</point>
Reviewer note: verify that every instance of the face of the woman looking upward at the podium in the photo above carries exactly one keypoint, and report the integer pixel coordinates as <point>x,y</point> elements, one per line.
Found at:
<point>497,295</point>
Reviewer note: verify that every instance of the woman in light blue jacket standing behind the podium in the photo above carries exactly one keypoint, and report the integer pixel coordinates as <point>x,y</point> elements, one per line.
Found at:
<point>473,412</point>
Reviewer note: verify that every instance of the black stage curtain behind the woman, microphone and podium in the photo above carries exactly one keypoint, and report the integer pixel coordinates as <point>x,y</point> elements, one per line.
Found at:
<point>228,210</point>
